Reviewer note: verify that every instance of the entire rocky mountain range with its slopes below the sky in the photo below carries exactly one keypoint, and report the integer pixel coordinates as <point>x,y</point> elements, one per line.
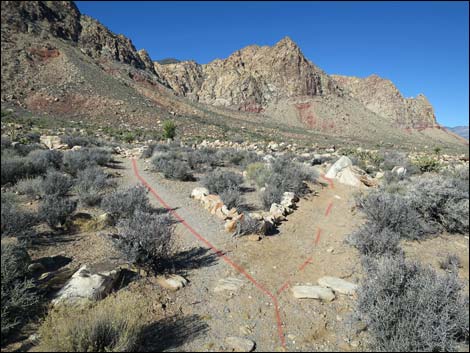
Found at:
<point>62,63</point>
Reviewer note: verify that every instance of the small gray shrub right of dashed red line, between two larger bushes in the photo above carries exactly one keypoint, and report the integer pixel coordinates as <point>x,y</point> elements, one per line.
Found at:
<point>372,241</point>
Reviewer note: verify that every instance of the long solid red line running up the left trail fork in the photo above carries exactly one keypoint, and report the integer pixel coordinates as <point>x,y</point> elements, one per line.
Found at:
<point>217,251</point>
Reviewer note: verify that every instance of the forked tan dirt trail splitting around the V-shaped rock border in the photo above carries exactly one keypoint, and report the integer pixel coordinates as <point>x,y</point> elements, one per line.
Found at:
<point>309,245</point>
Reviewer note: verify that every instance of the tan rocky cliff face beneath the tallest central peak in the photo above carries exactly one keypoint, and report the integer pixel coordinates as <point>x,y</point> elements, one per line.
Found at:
<point>251,78</point>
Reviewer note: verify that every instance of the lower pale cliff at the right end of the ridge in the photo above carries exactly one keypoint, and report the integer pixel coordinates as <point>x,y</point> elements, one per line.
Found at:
<point>382,97</point>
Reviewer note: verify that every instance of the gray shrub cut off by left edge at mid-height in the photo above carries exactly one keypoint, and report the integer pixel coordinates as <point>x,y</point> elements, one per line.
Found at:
<point>15,221</point>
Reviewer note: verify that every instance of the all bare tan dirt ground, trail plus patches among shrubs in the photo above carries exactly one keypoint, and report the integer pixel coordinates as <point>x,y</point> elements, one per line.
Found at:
<point>198,319</point>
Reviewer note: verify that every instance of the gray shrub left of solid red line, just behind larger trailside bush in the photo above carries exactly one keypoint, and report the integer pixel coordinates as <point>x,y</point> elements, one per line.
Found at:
<point>123,203</point>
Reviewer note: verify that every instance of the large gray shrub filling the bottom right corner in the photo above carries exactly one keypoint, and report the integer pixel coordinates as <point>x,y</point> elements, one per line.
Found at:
<point>408,307</point>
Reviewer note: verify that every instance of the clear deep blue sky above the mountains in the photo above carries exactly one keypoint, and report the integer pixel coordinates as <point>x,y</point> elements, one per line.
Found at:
<point>423,47</point>
